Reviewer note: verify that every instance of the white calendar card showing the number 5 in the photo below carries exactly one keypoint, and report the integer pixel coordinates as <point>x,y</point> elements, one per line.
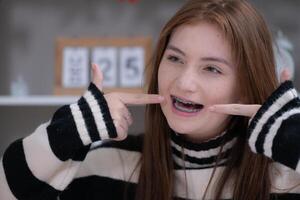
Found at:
<point>132,66</point>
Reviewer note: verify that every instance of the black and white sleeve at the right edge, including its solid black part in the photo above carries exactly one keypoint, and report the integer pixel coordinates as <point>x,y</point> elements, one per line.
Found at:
<point>275,129</point>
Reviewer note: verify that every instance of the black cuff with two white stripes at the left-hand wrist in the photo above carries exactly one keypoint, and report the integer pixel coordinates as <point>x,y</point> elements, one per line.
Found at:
<point>76,126</point>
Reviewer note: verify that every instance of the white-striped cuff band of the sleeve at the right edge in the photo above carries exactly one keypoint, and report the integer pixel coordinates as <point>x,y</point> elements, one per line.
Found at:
<point>264,126</point>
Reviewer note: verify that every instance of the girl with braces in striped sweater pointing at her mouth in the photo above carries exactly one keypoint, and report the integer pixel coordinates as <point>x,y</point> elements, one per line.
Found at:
<point>218,125</point>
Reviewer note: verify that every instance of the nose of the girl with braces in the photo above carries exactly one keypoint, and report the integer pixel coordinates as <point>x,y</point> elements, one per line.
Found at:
<point>187,81</point>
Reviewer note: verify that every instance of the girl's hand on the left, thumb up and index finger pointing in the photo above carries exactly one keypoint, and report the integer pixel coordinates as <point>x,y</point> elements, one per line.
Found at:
<point>118,102</point>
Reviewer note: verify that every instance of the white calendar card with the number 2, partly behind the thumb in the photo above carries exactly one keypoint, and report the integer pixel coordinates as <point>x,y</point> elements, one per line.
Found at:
<point>106,58</point>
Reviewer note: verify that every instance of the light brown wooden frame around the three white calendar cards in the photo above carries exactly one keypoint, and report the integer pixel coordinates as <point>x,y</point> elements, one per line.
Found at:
<point>144,43</point>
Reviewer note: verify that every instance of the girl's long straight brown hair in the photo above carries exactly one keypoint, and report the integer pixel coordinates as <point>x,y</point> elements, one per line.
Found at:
<point>251,46</point>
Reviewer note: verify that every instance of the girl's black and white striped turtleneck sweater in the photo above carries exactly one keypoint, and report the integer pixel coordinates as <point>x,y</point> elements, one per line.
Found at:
<point>70,157</point>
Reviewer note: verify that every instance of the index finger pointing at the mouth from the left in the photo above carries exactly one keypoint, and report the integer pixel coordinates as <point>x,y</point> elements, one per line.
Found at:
<point>140,98</point>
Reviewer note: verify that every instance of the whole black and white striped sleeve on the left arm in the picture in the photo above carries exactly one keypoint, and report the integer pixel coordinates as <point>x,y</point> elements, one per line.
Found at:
<point>43,164</point>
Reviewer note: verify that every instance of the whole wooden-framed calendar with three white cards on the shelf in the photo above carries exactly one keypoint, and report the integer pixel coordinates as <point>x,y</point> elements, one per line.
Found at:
<point>122,61</point>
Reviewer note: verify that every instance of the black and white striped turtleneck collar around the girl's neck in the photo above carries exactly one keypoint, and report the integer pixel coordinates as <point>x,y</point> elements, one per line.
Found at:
<point>191,155</point>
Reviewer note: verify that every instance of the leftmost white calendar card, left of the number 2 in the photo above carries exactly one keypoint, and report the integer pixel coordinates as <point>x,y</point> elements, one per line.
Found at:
<point>75,67</point>
